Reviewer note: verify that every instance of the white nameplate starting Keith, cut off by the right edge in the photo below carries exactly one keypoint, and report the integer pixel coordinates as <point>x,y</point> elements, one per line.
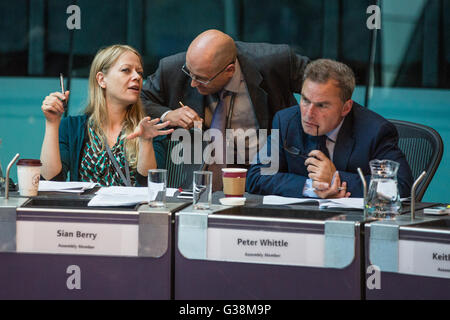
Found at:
<point>429,259</point>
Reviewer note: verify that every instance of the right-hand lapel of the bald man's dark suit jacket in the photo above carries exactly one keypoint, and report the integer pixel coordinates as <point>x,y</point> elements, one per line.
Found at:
<point>258,95</point>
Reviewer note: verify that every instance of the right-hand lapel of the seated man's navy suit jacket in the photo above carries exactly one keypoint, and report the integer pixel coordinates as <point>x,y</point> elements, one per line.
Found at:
<point>344,144</point>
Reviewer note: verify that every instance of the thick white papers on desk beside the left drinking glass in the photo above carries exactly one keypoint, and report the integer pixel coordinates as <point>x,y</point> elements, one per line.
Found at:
<point>123,196</point>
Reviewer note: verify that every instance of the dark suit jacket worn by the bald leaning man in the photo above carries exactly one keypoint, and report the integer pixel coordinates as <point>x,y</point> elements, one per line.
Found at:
<point>272,73</point>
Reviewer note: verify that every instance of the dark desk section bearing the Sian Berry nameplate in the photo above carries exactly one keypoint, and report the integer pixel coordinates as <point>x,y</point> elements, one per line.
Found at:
<point>61,249</point>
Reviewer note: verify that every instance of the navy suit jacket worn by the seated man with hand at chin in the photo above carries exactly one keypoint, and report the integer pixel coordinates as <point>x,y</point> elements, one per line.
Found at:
<point>364,136</point>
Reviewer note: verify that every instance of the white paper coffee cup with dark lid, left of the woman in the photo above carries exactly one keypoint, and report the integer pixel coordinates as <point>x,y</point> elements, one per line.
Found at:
<point>28,174</point>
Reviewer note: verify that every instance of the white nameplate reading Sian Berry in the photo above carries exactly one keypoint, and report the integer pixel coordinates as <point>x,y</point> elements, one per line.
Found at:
<point>77,238</point>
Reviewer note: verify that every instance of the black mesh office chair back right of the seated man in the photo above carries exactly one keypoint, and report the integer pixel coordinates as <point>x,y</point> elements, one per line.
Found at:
<point>423,148</point>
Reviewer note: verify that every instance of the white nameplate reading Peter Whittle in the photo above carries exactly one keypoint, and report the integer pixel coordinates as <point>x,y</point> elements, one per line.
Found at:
<point>284,248</point>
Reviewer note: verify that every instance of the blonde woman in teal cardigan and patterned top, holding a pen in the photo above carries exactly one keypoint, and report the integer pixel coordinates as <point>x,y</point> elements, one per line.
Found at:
<point>112,142</point>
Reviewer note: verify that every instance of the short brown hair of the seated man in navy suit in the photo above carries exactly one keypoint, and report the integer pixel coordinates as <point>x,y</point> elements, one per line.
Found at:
<point>322,70</point>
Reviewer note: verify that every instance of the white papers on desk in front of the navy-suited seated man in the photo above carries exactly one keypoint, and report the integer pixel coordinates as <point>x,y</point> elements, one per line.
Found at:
<point>350,203</point>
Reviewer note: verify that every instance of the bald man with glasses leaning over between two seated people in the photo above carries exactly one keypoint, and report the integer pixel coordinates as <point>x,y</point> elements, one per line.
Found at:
<point>261,79</point>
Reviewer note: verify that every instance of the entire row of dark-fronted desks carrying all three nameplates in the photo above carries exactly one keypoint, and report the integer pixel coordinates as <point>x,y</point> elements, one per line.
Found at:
<point>65,250</point>
